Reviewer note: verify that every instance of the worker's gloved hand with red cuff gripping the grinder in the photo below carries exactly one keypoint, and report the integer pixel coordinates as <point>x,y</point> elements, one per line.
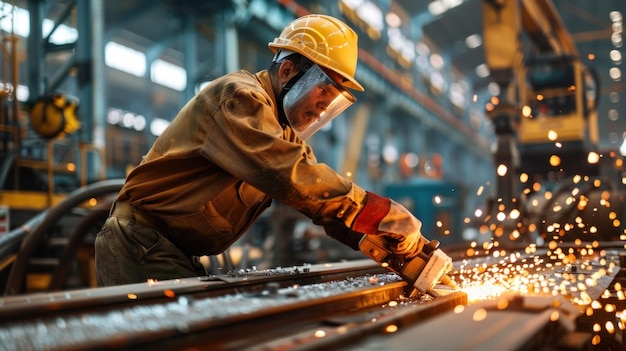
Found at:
<point>383,216</point>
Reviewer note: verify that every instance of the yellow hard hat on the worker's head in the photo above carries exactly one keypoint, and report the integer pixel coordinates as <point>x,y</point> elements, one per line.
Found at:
<point>325,40</point>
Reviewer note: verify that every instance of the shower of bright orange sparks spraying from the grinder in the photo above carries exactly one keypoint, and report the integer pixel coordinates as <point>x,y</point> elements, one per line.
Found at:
<point>564,258</point>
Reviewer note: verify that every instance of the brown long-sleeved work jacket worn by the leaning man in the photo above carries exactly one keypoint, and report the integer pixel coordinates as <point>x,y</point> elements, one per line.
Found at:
<point>217,166</point>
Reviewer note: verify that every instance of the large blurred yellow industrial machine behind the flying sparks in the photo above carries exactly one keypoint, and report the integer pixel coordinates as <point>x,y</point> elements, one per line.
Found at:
<point>553,181</point>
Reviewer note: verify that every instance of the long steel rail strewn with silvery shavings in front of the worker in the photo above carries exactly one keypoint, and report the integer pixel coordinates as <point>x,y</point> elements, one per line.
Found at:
<point>262,305</point>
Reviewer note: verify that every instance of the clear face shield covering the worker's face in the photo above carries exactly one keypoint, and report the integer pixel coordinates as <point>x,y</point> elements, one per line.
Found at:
<point>314,100</point>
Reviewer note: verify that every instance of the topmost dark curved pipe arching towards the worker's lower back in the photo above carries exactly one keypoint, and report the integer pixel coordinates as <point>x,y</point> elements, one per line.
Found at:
<point>15,282</point>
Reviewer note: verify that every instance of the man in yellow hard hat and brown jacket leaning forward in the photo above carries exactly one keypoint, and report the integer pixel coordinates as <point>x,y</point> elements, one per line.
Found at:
<point>236,146</point>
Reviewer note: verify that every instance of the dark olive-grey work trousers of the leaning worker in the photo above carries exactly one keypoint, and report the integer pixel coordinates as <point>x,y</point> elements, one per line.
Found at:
<point>128,252</point>
